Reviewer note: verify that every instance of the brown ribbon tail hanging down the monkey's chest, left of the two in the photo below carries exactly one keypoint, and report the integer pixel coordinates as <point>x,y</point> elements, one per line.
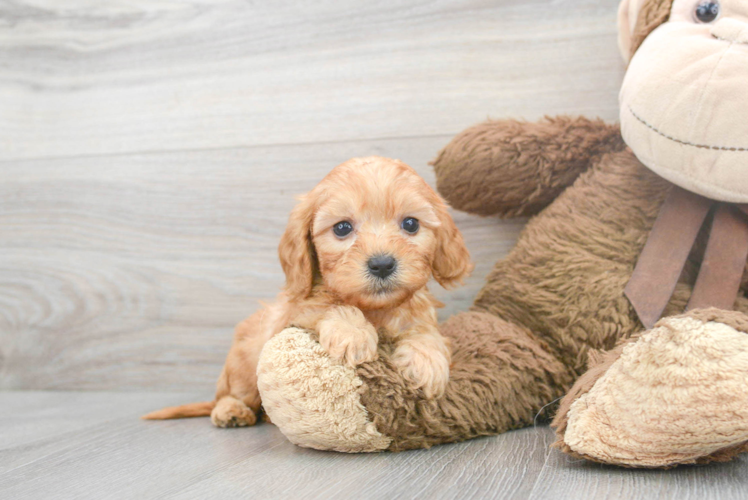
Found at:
<point>664,255</point>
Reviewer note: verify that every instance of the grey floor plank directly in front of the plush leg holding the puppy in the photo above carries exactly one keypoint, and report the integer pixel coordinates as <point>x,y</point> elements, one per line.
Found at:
<point>496,467</point>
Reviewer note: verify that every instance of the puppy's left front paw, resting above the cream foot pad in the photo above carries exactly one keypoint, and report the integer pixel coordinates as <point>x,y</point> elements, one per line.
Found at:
<point>346,335</point>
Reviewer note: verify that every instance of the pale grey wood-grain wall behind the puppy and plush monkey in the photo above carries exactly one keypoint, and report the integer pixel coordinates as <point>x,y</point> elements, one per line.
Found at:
<point>150,151</point>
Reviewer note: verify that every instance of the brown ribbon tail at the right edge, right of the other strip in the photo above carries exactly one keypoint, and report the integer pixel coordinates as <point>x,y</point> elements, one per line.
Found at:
<point>724,261</point>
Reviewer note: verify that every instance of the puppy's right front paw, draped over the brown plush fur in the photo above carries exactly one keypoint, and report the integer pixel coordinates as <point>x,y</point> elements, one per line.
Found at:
<point>425,364</point>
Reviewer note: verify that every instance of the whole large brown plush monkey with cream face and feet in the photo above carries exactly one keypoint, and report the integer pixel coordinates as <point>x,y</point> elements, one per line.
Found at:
<point>620,237</point>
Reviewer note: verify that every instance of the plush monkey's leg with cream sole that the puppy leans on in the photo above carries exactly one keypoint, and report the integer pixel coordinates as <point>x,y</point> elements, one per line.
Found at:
<point>500,377</point>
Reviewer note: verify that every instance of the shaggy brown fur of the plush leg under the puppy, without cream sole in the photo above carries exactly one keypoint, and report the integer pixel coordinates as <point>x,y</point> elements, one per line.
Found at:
<point>491,360</point>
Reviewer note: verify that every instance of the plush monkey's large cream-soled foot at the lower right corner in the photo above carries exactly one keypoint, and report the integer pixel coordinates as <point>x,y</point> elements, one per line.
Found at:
<point>676,394</point>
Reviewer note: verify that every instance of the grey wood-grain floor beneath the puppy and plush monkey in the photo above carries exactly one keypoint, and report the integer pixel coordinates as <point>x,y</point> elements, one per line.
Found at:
<point>91,445</point>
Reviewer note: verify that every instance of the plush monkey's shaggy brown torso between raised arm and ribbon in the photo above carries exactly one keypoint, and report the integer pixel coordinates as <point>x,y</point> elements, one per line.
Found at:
<point>564,280</point>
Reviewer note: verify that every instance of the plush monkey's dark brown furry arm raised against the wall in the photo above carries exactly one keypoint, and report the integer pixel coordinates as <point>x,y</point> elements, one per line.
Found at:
<point>512,168</point>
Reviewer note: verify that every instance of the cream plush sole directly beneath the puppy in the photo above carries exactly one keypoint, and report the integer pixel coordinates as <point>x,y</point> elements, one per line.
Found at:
<point>312,399</point>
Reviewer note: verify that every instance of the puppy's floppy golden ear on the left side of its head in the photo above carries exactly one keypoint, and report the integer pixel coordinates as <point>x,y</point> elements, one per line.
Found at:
<point>296,250</point>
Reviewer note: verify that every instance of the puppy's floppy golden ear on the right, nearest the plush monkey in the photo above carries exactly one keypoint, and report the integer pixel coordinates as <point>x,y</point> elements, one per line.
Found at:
<point>452,260</point>
